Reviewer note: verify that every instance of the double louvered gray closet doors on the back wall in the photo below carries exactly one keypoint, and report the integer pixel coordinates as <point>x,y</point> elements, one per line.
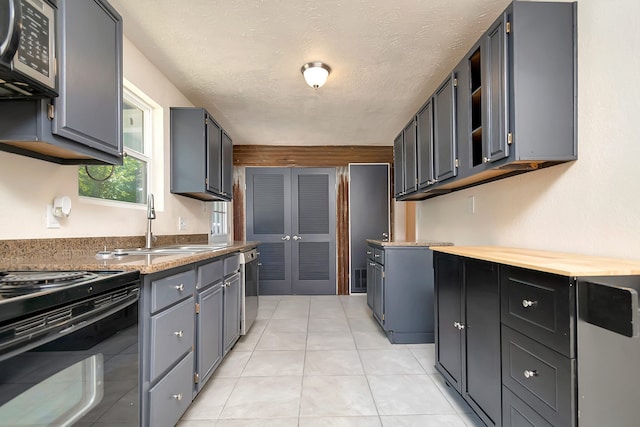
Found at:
<point>292,211</point>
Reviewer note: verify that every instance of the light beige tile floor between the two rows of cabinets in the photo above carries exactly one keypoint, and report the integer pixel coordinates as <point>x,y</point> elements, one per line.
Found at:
<point>312,361</point>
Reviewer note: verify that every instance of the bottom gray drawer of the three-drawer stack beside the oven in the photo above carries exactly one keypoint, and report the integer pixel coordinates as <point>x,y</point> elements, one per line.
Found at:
<point>171,397</point>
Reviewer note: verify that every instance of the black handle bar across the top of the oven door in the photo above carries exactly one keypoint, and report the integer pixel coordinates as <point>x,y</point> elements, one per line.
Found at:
<point>30,341</point>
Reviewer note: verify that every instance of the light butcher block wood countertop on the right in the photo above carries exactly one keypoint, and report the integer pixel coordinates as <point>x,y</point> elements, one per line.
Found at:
<point>565,264</point>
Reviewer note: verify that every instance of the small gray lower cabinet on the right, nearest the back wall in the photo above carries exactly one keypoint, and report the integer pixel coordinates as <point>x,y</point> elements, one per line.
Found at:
<point>400,292</point>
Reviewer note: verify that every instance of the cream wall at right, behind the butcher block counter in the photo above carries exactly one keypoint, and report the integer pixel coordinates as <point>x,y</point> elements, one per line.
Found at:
<point>590,206</point>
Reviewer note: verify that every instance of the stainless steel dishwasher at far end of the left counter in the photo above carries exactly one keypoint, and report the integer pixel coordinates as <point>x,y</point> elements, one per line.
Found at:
<point>249,297</point>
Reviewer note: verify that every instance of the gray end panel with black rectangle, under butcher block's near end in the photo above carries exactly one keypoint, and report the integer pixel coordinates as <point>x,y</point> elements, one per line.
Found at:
<point>608,346</point>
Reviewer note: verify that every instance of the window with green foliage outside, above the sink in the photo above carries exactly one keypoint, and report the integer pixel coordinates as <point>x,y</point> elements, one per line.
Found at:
<point>131,181</point>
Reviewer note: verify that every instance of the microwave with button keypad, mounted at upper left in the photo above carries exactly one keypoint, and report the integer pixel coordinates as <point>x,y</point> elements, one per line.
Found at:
<point>27,49</point>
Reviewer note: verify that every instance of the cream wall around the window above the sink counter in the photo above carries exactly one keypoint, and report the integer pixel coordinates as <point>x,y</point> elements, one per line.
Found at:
<point>28,185</point>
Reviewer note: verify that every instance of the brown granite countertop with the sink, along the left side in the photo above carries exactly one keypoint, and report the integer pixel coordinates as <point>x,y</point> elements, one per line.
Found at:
<point>86,260</point>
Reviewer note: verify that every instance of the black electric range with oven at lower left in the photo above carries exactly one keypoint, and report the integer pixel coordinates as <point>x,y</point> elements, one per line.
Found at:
<point>69,348</point>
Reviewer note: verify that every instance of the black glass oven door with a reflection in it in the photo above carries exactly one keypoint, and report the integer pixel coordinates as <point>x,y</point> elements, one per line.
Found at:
<point>87,376</point>
